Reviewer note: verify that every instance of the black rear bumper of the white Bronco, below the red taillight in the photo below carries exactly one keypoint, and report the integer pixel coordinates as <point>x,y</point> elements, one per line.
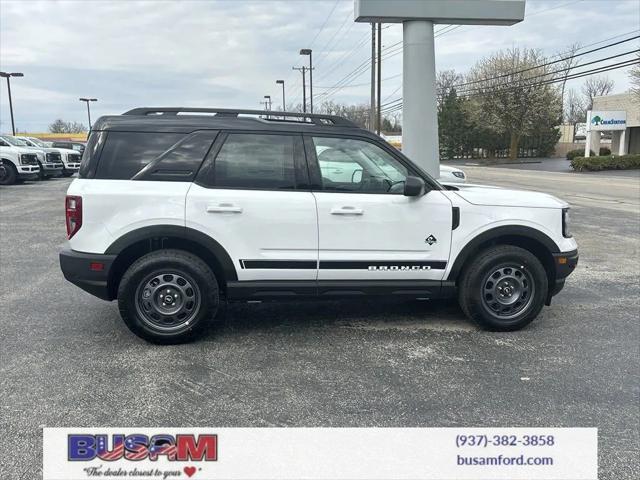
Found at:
<point>89,271</point>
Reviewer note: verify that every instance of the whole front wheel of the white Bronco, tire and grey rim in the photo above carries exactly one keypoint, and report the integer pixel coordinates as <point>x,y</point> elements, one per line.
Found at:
<point>503,289</point>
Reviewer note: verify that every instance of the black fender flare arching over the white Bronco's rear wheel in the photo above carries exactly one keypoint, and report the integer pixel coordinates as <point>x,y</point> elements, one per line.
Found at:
<point>175,231</point>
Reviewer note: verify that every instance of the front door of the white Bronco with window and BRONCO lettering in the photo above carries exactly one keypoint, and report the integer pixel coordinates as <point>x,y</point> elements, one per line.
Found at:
<point>368,230</point>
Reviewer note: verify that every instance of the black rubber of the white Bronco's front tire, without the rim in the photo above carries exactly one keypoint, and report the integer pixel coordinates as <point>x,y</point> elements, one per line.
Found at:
<point>479,271</point>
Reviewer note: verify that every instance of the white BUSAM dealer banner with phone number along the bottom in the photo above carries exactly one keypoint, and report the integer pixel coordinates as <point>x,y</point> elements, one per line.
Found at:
<point>320,453</point>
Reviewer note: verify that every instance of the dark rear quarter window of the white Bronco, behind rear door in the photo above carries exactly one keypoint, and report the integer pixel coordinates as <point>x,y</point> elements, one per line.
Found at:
<point>126,153</point>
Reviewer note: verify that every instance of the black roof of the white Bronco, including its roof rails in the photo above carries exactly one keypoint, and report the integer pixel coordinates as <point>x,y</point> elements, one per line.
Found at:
<point>187,120</point>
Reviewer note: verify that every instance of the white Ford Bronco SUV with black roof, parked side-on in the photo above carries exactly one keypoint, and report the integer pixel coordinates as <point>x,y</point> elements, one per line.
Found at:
<point>178,209</point>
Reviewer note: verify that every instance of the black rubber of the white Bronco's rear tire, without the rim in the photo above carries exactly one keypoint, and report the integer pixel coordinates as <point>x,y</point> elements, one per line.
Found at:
<point>195,269</point>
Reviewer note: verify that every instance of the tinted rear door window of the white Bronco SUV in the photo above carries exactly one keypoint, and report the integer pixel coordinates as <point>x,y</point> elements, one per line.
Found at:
<point>255,161</point>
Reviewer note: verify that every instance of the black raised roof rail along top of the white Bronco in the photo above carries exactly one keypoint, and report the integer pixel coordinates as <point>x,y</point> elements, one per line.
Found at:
<point>316,118</point>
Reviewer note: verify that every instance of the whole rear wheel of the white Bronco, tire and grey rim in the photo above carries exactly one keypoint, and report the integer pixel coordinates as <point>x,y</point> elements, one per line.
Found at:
<point>184,279</point>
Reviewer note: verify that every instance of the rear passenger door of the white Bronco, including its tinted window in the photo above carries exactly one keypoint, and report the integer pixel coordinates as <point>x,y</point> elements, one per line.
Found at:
<point>252,196</point>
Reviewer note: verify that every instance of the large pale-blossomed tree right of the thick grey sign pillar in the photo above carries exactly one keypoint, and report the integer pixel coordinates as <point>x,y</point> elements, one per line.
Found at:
<point>510,93</point>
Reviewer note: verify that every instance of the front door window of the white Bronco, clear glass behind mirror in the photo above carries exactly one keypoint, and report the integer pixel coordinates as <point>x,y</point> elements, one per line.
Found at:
<point>349,165</point>
